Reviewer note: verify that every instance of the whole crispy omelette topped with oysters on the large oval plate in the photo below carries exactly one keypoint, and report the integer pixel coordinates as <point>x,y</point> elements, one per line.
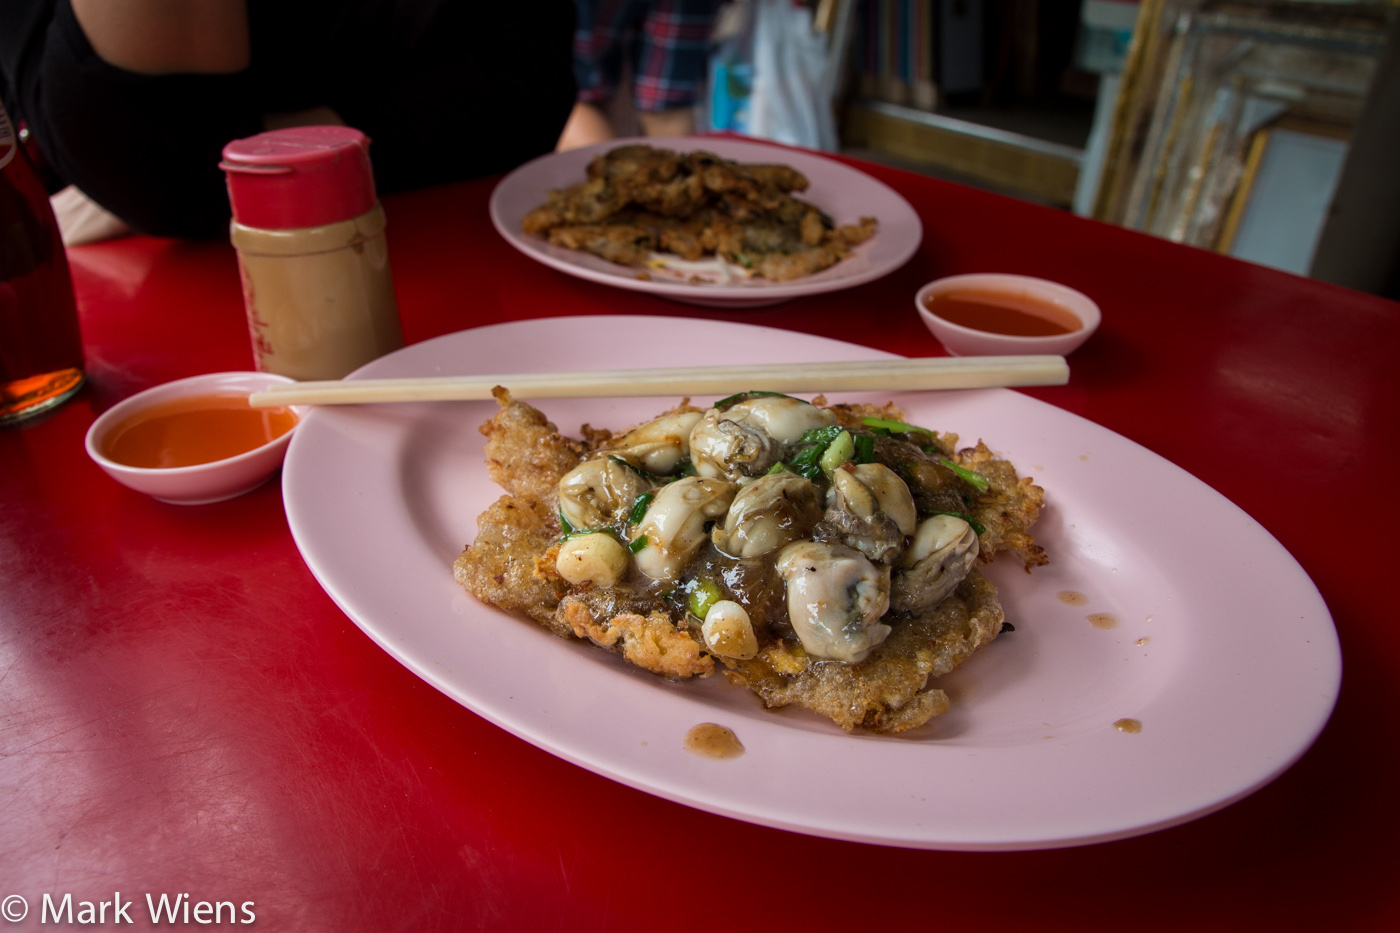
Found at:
<point>822,555</point>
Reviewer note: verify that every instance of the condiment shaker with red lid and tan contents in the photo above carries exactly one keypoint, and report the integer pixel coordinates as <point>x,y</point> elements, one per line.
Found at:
<point>311,251</point>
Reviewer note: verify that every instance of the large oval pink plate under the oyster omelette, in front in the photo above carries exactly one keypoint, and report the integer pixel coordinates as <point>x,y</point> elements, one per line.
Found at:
<point>1219,642</point>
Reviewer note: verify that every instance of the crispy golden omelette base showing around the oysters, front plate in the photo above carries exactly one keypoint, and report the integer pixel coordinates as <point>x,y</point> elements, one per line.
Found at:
<point>512,565</point>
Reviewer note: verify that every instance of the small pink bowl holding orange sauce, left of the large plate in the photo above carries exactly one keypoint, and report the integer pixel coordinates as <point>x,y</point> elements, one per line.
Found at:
<point>201,484</point>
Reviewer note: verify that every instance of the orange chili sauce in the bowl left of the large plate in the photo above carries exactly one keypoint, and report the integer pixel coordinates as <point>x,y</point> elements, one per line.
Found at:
<point>195,431</point>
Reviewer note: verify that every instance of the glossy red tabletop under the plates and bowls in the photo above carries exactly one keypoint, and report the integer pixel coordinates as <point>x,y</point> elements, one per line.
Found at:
<point>187,712</point>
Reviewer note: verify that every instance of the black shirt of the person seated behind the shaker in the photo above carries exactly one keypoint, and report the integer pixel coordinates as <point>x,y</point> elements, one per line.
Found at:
<point>446,90</point>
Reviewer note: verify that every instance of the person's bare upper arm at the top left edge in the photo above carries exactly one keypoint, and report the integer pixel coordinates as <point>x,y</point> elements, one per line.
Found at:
<point>169,37</point>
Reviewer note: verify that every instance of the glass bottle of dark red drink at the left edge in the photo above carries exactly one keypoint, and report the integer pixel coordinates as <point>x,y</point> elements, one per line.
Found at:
<point>41,347</point>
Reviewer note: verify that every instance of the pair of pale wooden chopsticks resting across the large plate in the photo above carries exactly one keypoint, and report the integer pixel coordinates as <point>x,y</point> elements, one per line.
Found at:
<point>846,376</point>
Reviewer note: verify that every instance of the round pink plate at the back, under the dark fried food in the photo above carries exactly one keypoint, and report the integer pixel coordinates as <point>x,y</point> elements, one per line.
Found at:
<point>845,195</point>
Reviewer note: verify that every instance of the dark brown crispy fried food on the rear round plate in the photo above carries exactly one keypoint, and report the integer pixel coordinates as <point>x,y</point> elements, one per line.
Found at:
<point>640,201</point>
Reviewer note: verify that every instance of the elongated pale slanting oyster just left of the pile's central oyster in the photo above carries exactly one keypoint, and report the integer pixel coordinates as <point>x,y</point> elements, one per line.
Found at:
<point>675,525</point>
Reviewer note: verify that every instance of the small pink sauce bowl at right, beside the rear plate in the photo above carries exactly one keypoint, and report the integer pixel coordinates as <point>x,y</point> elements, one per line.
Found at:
<point>962,341</point>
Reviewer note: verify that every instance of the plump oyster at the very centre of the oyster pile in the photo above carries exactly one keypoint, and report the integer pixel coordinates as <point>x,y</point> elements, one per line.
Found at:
<point>769,513</point>
